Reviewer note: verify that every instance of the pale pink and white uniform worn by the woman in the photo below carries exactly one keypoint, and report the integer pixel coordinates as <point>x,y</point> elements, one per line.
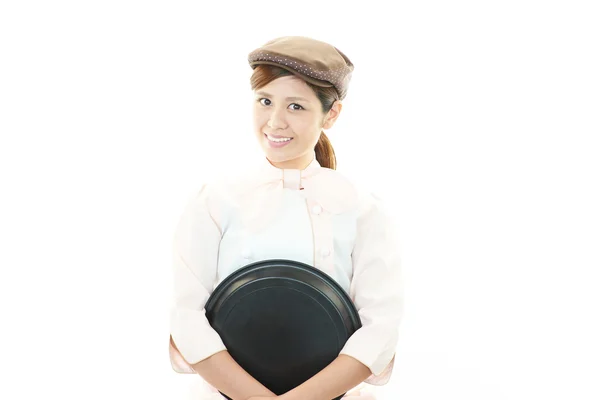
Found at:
<point>316,216</point>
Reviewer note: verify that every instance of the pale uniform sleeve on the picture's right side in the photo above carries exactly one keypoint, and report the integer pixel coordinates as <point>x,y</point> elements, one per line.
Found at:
<point>376,290</point>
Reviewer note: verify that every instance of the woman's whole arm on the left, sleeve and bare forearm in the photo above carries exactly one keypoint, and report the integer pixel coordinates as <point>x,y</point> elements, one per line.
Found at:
<point>196,247</point>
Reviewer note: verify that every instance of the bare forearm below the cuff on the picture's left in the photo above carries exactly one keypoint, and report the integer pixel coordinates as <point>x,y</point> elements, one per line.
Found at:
<point>225,374</point>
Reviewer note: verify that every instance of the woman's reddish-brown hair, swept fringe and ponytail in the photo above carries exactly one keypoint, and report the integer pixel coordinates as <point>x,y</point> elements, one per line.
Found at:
<point>264,74</point>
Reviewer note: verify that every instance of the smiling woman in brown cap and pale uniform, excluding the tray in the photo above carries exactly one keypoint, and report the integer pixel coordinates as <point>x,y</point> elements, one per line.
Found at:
<point>293,205</point>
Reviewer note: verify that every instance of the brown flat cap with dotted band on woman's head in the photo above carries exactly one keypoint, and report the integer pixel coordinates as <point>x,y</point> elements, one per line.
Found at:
<point>312,60</point>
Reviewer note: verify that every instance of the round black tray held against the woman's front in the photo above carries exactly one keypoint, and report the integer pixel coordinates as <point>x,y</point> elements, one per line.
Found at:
<point>282,321</point>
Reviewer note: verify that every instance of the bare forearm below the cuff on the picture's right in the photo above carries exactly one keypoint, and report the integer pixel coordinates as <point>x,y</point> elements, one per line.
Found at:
<point>343,374</point>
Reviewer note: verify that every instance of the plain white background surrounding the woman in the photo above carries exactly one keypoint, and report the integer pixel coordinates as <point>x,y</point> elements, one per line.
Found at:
<point>477,121</point>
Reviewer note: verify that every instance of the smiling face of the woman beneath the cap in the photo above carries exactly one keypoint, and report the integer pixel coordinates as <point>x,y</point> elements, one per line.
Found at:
<point>287,107</point>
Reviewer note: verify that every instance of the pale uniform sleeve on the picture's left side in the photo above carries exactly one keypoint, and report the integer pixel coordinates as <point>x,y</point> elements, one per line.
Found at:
<point>195,253</point>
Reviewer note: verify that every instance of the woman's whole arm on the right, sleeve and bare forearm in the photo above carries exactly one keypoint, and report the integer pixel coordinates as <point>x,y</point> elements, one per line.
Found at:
<point>376,291</point>
